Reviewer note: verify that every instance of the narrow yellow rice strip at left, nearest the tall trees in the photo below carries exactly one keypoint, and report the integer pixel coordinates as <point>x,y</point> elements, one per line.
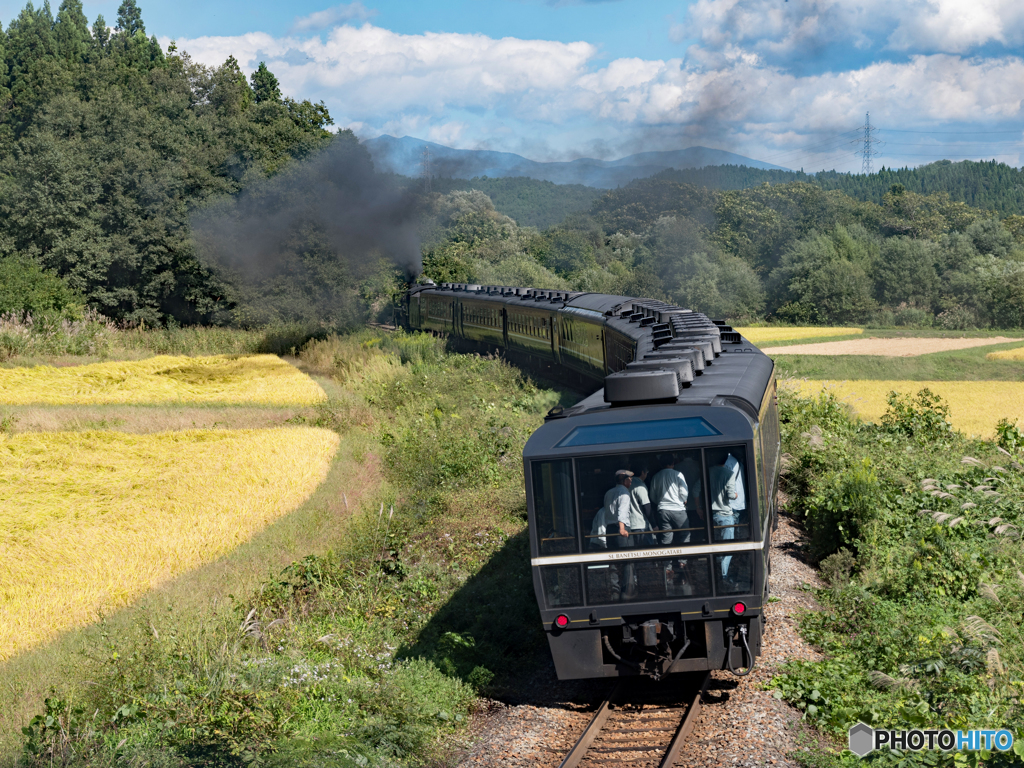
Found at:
<point>263,379</point>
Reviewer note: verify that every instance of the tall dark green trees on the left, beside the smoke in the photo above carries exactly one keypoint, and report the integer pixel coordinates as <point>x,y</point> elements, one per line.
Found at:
<point>109,145</point>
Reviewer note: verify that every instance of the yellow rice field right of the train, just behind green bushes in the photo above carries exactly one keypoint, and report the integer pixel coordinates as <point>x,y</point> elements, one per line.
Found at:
<point>975,407</point>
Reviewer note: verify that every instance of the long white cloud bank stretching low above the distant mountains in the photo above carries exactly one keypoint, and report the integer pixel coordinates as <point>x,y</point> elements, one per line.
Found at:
<point>471,89</point>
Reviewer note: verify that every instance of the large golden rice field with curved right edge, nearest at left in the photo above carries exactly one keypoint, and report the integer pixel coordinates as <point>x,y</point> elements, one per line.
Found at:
<point>92,521</point>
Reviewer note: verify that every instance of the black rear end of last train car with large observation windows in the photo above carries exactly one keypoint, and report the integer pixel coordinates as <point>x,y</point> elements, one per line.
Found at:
<point>686,589</point>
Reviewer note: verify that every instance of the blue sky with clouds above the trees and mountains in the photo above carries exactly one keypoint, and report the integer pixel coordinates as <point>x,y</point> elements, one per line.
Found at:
<point>784,81</point>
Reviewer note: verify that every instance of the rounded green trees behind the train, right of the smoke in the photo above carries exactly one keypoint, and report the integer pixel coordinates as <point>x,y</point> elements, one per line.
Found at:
<point>792,252</point>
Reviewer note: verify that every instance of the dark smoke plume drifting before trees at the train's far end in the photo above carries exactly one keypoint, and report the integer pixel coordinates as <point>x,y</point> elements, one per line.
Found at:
<point>314,243</point>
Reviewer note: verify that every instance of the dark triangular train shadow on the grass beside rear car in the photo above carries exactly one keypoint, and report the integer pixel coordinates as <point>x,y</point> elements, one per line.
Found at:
<point>490,633</point>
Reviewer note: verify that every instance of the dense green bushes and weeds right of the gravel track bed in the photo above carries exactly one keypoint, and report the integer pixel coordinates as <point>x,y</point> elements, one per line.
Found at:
<point>918,530</point>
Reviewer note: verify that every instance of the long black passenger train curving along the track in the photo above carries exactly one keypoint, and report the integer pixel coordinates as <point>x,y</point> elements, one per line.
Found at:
<point>652,502</point>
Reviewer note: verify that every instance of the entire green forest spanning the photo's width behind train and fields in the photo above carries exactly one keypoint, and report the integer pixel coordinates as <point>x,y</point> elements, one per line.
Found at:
<point>149,189</point>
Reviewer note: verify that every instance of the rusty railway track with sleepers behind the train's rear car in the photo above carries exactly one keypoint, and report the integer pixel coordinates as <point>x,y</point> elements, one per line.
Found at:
<point>641,726</point>
